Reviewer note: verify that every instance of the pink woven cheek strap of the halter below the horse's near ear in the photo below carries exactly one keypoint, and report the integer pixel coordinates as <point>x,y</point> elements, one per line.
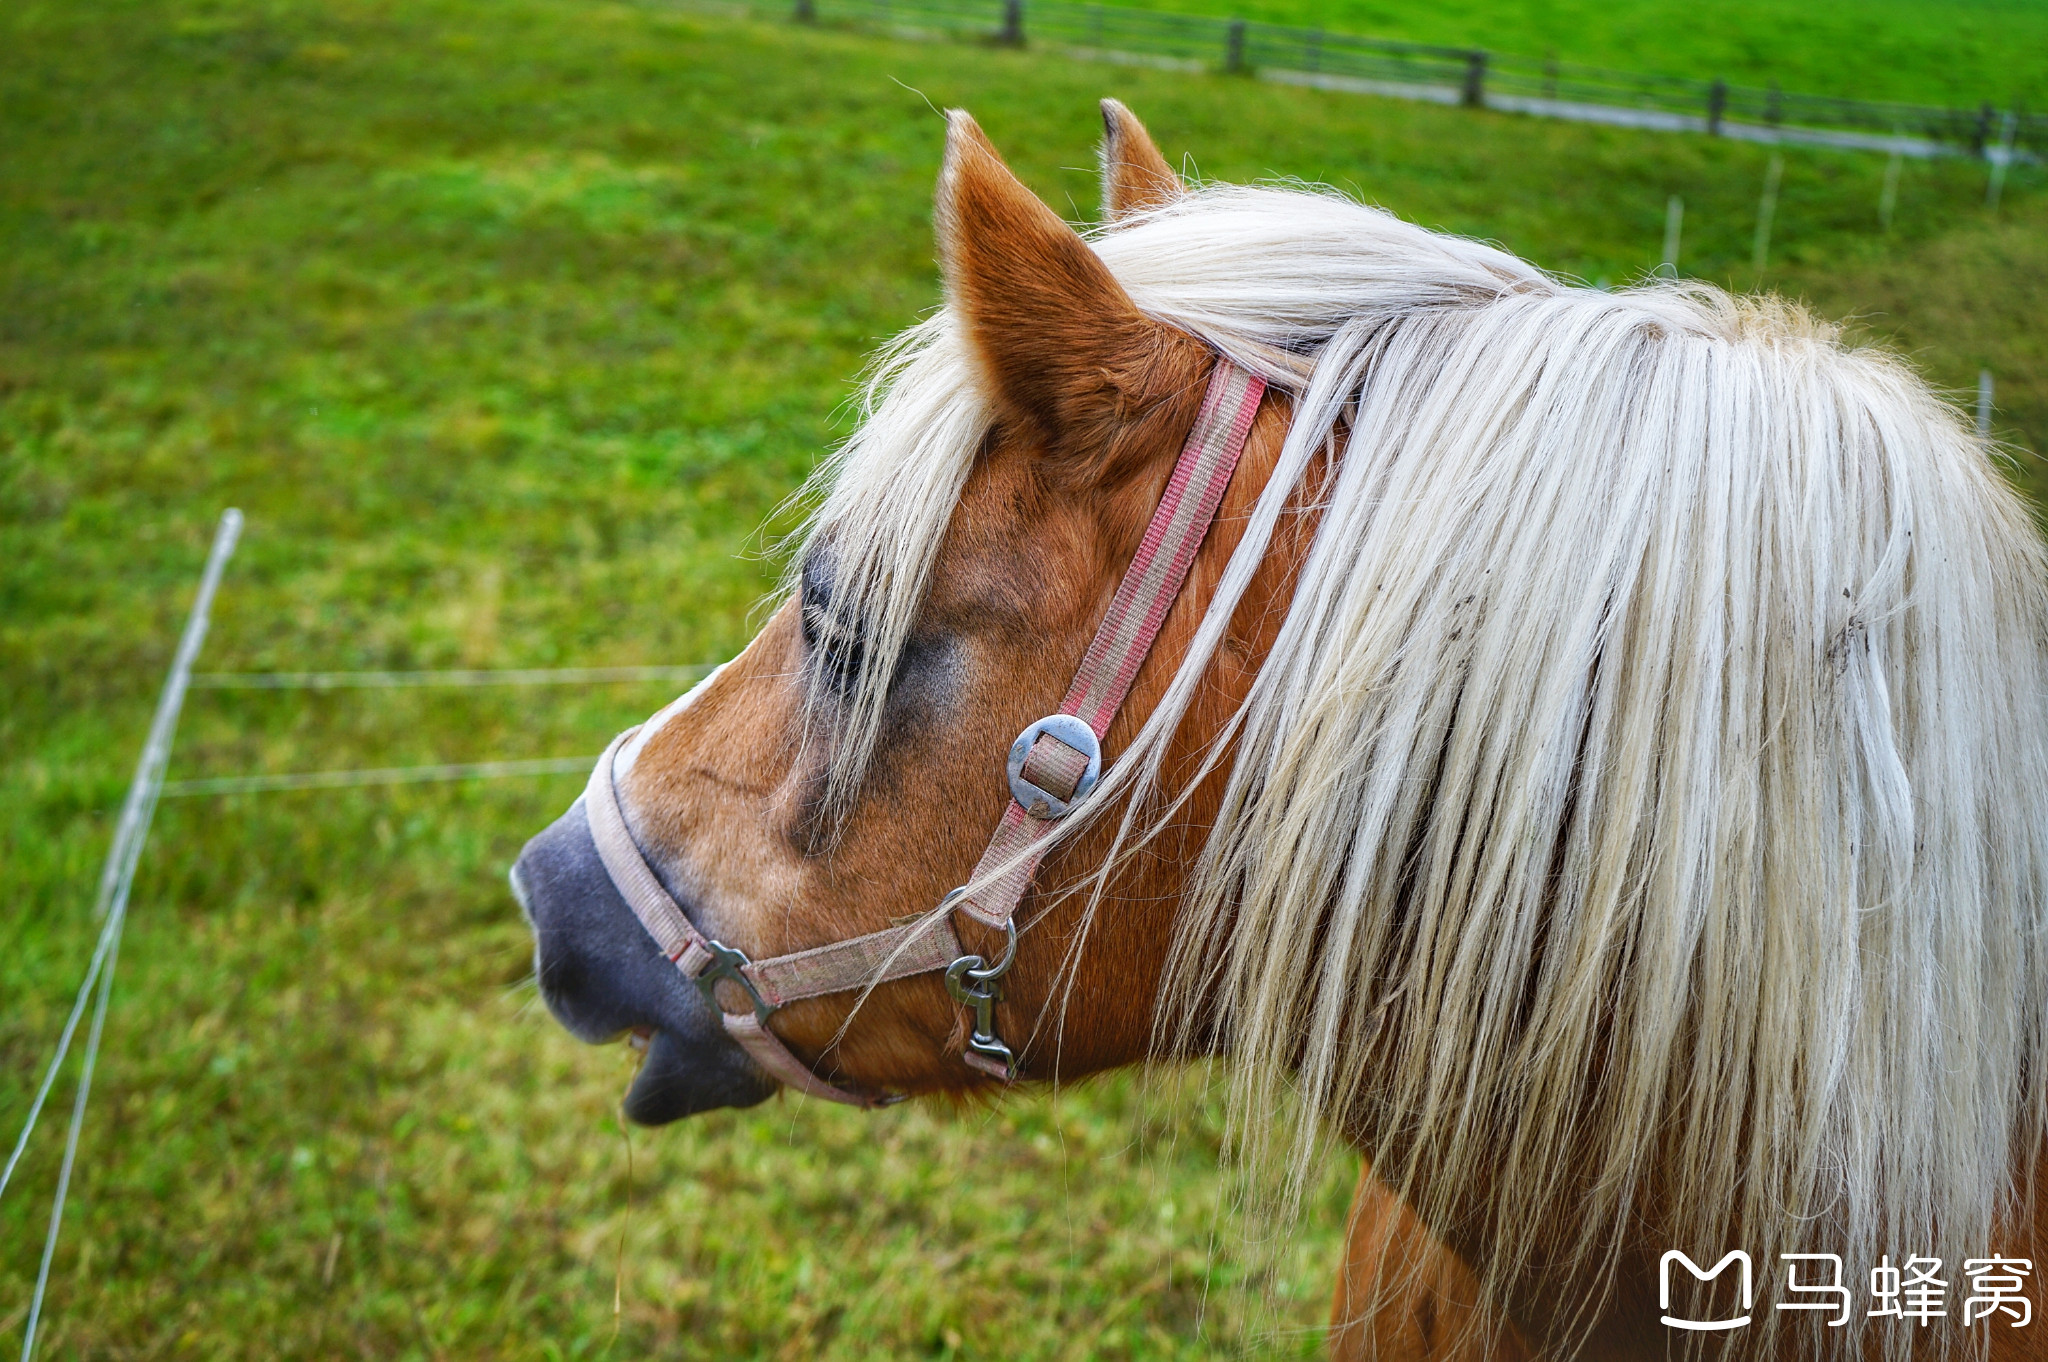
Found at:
<point>1127,632</point>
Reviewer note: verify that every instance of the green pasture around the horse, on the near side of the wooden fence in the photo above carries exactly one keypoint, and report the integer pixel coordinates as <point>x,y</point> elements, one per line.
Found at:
<point>507,327</point>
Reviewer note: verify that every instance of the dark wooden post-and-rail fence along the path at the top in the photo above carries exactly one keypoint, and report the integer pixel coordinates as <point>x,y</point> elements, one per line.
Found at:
<point>1449,75</point>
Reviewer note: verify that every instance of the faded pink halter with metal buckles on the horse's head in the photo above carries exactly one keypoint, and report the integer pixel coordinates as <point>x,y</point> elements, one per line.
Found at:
<point>1054,765</point>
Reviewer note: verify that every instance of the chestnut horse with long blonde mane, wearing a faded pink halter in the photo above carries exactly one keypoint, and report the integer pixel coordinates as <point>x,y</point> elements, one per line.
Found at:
<point>1584,749</point>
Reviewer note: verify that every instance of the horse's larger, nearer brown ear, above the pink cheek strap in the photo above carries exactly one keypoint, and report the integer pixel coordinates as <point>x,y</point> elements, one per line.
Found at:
<point>1060,341</point>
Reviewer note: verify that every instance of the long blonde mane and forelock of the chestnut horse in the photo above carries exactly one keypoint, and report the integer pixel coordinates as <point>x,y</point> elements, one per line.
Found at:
<point>1644,812</point>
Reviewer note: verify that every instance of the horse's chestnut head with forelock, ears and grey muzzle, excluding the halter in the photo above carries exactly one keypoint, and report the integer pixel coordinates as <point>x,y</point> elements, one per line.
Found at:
<point>847,769</point>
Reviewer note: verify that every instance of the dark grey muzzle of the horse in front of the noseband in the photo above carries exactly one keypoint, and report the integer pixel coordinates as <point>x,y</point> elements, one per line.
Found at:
<point>601,976</point>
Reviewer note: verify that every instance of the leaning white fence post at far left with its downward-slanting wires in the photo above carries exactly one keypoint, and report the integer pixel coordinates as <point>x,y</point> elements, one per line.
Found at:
<point>114,900</point>
